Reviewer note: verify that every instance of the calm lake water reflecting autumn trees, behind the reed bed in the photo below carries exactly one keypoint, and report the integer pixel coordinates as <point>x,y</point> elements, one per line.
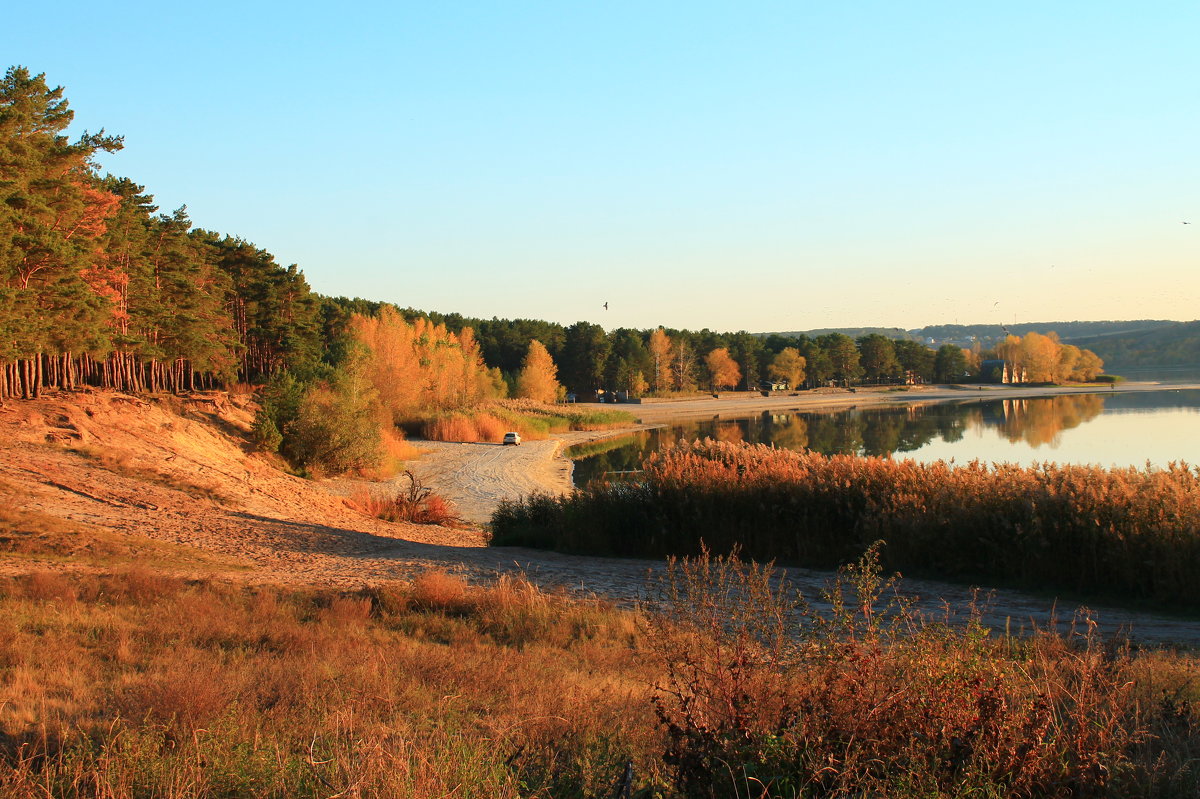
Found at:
<point>1101,429</point>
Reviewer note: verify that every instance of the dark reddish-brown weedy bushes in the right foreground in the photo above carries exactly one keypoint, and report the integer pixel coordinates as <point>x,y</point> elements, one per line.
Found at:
<point>875,701</point>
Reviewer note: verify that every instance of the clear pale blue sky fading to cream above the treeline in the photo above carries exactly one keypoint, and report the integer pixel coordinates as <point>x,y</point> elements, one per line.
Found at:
<point>734,166</point>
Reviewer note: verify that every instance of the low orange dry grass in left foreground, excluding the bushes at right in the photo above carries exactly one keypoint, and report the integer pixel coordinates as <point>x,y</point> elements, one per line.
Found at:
<point>131,686</point>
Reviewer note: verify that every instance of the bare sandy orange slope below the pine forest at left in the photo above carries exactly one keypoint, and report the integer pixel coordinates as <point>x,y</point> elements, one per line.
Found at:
<point>170,484</point>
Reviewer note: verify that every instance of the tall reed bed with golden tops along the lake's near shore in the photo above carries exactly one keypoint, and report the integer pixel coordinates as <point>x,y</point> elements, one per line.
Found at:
<point>1132,533</point>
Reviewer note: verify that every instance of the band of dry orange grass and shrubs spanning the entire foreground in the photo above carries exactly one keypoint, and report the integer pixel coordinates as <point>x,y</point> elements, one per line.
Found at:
<point>133,684</point>
